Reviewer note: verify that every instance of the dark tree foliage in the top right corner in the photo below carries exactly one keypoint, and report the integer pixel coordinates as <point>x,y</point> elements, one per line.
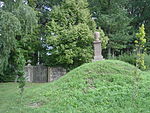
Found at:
<point>139,11</point>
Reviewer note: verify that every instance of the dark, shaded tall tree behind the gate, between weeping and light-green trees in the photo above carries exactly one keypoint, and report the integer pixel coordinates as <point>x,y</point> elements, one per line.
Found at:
<point>43,8</point>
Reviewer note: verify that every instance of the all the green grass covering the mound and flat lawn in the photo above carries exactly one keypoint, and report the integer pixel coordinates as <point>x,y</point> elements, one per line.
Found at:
<point>100,87</point>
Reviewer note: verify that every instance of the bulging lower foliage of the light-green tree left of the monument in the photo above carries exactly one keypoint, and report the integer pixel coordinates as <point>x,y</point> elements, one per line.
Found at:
<point>75,48</point>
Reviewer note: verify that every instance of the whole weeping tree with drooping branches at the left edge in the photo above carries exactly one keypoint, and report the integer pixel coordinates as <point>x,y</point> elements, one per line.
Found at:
<point>17,23</point>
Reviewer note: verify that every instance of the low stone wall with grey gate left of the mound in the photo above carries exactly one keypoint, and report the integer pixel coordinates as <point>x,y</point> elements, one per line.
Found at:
<point>42,73</point>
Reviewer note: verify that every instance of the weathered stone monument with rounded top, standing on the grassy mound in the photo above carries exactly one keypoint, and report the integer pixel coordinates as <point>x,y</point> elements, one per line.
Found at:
<point>97,47</point>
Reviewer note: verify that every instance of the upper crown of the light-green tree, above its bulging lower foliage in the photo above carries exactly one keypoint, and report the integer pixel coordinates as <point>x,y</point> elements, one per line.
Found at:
<point>71,13</point>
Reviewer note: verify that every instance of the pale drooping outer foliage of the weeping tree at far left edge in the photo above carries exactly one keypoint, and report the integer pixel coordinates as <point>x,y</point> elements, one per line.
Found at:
<point>9,28</point>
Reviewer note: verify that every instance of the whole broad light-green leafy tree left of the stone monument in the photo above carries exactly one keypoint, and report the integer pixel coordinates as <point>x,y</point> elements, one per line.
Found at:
<point>70,34</point>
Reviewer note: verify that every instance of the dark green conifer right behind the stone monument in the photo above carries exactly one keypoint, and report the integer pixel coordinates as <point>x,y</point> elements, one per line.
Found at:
<point>112,17</point>
